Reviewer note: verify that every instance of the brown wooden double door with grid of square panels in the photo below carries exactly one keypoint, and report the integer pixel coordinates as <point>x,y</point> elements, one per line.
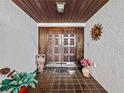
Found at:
<point>61,46</point>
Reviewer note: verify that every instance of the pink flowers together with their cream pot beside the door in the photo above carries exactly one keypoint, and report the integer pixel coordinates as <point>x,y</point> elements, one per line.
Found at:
<point>86,67</point>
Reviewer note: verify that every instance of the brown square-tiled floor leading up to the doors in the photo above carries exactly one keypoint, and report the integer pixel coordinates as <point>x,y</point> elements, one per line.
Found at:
<point>65,80</point>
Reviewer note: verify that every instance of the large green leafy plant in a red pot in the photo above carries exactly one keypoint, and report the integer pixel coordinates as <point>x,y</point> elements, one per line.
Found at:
<point>19,82</point>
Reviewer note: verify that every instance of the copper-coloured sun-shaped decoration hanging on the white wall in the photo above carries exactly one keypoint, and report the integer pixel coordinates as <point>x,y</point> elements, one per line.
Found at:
<point>96,31</point>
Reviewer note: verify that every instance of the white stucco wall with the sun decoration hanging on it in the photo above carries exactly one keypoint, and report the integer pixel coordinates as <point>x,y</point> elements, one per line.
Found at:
<point>108,52</point>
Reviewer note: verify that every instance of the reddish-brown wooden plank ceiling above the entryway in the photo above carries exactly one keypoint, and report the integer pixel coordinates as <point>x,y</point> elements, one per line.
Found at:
<point>75,10</point>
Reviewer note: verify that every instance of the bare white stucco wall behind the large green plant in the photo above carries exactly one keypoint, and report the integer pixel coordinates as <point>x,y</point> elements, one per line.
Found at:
<point>18,38</point>
